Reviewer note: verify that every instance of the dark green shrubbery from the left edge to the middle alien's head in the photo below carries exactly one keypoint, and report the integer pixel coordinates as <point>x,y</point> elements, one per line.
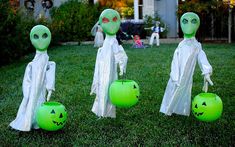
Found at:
<point>72,21</point>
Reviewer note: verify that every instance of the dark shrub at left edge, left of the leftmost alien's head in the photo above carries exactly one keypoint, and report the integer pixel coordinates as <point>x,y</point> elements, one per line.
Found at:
<point>14,32</point>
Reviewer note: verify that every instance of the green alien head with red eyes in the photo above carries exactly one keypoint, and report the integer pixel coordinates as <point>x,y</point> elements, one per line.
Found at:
<point>110,21</point>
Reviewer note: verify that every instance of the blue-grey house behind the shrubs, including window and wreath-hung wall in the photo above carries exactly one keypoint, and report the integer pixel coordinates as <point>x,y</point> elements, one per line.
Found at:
<point>166,10</point>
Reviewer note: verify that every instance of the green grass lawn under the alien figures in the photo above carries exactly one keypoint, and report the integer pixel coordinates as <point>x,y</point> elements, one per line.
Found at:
<point>139,125</point>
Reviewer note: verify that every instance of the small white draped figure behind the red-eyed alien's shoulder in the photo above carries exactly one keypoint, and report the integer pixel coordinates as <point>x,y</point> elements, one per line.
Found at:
<point>98,33</point>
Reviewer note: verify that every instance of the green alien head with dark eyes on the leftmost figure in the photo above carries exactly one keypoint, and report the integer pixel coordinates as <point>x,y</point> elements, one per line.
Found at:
<point>40,37</point>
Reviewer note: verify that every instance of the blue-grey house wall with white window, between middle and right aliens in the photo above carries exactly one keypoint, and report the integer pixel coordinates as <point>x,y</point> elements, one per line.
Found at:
<point>166,10</point>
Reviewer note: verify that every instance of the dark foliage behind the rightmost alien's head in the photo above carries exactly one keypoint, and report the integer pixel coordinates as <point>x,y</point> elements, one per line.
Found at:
<point>213,15</point>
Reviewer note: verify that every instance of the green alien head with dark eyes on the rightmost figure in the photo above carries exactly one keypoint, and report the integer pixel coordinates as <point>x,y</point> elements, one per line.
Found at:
<point>189,23</point>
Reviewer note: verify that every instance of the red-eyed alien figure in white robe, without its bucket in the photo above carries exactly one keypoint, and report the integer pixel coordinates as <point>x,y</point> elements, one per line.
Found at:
<point>108,56</point>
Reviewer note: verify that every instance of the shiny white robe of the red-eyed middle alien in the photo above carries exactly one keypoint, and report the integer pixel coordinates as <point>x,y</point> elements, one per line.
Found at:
<point>107,59</point>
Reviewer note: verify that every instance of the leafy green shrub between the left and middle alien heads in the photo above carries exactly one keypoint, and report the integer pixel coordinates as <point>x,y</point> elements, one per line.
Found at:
<point>73,20</point>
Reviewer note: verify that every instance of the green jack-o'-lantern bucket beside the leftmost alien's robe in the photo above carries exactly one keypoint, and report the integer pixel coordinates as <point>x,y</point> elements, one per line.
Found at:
<point>51,116</point>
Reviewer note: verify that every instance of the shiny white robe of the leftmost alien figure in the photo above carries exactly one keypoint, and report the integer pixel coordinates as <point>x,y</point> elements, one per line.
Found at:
<point>39,76</point>
